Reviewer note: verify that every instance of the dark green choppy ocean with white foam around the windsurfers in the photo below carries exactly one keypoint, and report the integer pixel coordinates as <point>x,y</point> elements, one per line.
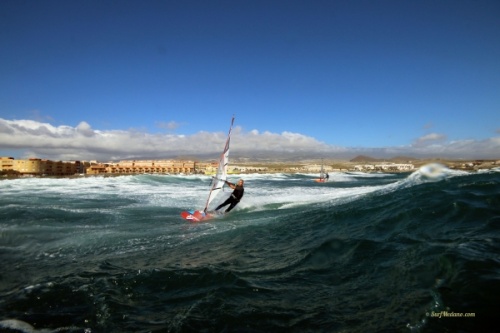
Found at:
<point>364,252</point>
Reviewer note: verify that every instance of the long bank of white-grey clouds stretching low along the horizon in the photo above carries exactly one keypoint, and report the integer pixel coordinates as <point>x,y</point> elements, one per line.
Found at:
<point>39,139</point>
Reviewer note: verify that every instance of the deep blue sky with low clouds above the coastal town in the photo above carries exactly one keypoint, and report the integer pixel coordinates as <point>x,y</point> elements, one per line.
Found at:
<point>115,80</point>
